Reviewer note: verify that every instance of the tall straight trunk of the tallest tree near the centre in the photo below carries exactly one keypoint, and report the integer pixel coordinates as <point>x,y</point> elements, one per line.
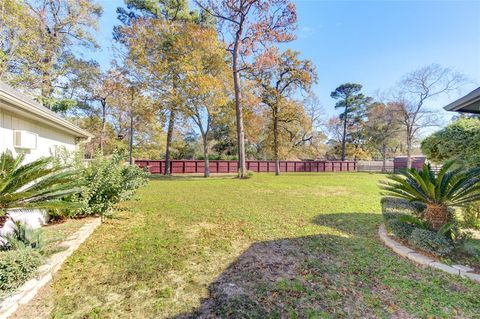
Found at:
<point>238,107</point>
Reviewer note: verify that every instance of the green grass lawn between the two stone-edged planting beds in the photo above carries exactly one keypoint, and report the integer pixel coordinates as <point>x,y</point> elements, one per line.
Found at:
<point>294,246</point>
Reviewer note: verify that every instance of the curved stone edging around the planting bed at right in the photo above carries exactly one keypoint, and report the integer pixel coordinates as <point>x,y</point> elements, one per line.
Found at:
<point>421,259</point>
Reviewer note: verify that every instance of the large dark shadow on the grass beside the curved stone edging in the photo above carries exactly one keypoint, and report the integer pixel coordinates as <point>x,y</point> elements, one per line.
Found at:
<point>322,276</point>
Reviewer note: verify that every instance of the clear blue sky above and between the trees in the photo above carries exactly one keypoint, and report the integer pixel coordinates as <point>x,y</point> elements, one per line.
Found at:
<point>373,43</point>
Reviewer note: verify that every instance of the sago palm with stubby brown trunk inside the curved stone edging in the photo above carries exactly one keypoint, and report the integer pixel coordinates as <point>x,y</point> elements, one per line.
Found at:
<point>451,187</point>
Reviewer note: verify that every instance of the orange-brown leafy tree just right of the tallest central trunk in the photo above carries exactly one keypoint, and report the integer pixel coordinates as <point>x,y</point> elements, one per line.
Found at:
<point>279,77</point>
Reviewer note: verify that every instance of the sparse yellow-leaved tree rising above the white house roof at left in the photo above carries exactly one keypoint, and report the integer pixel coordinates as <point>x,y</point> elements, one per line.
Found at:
<point>47,35</point>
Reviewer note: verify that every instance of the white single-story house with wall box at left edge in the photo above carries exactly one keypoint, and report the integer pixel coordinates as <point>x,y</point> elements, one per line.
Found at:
<point>30,128</point>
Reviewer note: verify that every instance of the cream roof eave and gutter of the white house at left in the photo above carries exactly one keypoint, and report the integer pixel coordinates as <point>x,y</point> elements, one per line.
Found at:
<point>19,103</point>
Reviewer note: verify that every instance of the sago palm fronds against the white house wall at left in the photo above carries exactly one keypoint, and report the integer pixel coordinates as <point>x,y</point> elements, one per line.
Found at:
<point>38,184</point>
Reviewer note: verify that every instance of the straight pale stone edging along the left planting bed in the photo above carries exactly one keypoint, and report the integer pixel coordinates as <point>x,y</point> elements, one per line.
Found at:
<point>45,273</point>
